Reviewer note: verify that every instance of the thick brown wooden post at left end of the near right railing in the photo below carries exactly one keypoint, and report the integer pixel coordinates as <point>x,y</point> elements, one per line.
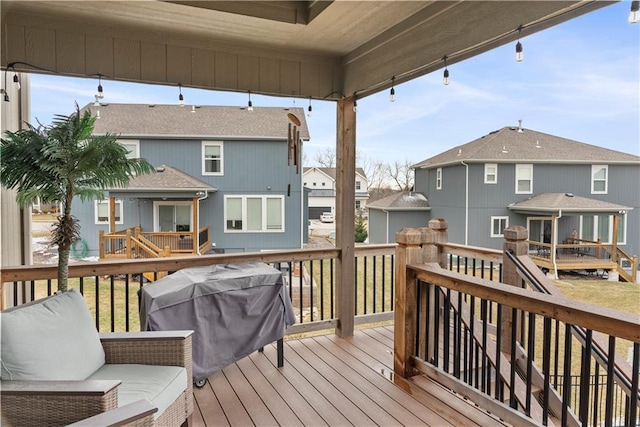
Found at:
<point>408,252</point>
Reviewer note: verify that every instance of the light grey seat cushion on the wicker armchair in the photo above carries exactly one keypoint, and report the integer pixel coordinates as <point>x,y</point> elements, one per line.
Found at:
<point>162,385</point>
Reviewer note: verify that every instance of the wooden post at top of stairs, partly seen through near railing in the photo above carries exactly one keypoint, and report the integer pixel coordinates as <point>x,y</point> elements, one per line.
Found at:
<point>515,242</point>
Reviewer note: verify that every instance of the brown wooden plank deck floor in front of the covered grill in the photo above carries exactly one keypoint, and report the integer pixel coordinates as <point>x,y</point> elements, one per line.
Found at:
<point>330,381</point>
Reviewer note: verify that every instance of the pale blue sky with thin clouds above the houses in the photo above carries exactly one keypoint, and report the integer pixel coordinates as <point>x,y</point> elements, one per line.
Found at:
<point>579,80</point>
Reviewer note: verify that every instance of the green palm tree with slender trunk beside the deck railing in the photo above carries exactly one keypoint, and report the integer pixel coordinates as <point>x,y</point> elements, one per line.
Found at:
<point>61,161</point>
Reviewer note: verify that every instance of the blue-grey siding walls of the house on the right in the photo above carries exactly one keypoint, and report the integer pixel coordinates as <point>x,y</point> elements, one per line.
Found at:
<point>487,200</point>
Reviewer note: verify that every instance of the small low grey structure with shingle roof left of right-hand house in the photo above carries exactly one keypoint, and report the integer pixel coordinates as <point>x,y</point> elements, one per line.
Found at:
<point>407,209</point>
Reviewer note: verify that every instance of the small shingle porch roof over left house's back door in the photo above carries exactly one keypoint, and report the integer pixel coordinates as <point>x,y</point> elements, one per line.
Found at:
<point>166,178</point>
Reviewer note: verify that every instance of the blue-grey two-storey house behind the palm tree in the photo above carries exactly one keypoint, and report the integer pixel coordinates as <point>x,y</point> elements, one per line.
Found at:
<point>225,168</point>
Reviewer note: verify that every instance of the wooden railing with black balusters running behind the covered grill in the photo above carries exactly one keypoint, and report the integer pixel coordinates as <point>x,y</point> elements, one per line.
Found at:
<point>110,287</point>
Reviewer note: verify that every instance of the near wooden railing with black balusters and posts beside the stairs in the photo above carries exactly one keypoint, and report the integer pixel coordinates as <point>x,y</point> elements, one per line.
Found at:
<point>512,349</point>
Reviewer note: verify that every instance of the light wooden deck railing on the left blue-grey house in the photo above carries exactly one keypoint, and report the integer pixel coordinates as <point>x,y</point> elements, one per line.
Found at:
<point>133,243</point>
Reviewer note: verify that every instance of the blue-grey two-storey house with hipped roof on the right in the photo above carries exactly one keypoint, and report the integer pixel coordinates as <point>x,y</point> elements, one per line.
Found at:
<point>517,176</point>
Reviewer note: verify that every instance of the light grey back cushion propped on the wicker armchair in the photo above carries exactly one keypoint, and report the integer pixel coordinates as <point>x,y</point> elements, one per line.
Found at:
<point>51,339</point>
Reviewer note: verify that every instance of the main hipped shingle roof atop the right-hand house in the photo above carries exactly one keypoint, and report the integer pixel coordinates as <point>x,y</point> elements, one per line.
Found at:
<point>512,144</point>
